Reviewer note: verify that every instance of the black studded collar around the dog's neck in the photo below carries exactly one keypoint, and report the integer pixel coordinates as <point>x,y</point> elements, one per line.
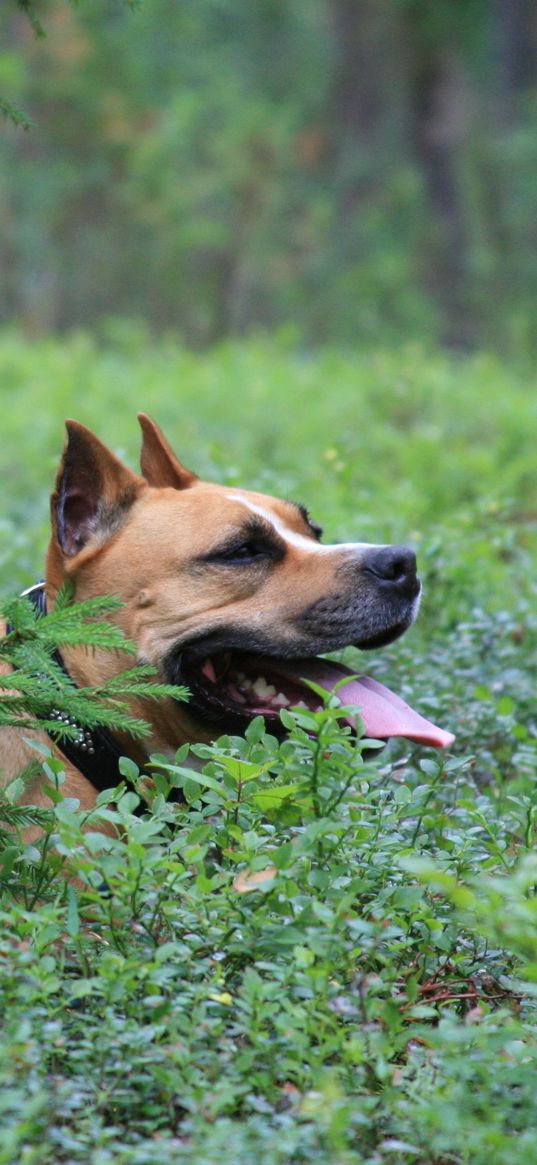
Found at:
<point>93,751</point>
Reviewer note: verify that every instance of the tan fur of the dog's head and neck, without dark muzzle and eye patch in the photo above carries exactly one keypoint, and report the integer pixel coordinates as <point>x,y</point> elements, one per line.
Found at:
<point>146,539</point>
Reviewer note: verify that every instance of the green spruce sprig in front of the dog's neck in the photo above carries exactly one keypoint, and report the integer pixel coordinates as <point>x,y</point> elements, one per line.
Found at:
<point>37,687</point>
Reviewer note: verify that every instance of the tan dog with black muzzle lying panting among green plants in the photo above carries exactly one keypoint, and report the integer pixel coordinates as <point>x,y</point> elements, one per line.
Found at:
<point>229,592</point>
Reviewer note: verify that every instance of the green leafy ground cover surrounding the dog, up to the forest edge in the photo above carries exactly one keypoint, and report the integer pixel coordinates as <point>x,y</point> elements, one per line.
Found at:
<point>317,957</point>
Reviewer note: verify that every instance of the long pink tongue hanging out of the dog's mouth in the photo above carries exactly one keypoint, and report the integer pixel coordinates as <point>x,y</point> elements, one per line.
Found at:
<point>384,714</point>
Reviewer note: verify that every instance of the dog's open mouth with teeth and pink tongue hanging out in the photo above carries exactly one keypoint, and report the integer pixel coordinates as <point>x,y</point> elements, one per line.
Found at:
<point>229,689</point>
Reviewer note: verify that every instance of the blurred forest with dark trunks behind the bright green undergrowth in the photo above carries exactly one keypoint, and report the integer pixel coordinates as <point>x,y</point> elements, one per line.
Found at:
<point>359,172</point>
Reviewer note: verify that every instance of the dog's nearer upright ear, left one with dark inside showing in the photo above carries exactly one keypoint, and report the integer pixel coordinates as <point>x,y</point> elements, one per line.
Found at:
<point>94,491</point>
